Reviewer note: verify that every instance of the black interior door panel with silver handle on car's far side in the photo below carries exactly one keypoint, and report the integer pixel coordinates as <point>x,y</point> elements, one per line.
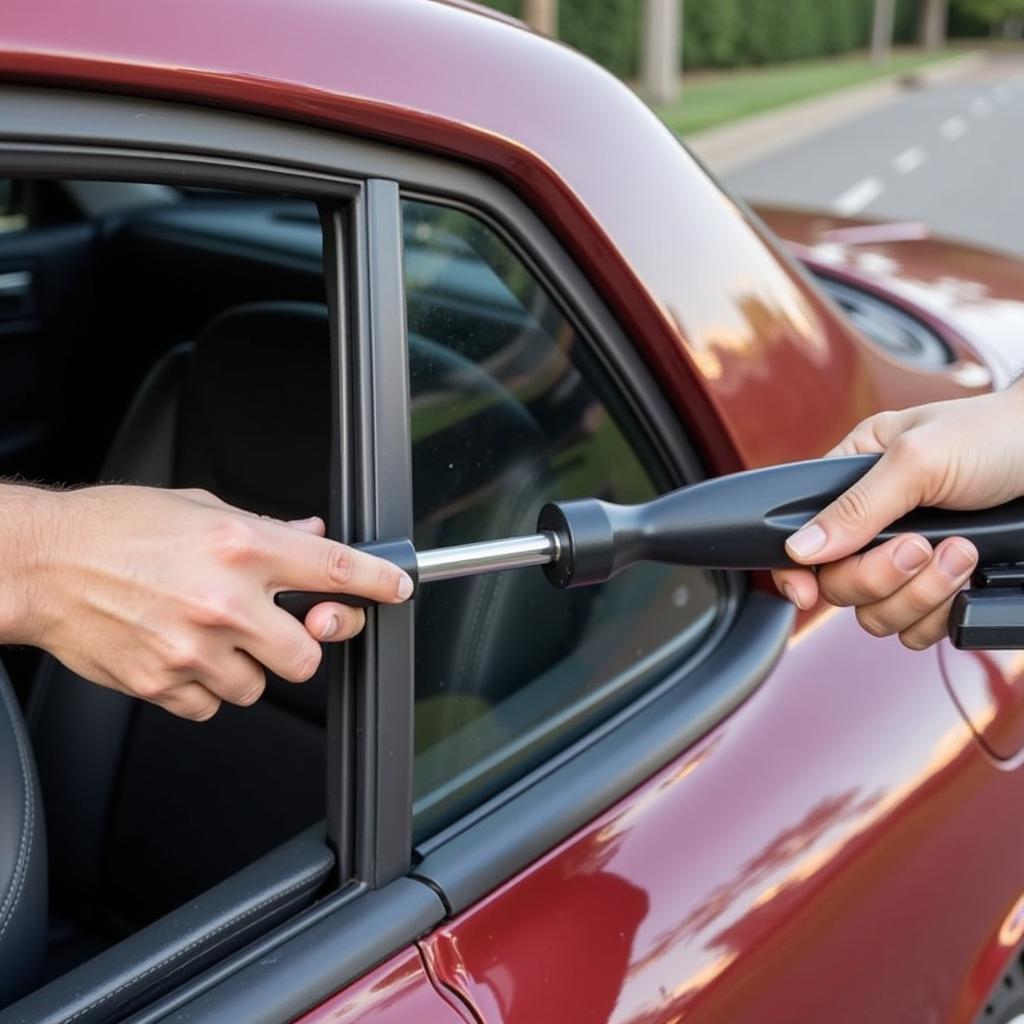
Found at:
<point>46,276</point>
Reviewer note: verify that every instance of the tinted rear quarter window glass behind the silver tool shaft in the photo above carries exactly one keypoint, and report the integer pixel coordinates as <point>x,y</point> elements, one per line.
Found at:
<point>507,413</point>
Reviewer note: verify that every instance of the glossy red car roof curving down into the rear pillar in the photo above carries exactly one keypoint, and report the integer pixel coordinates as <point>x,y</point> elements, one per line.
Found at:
<point>760,368</point>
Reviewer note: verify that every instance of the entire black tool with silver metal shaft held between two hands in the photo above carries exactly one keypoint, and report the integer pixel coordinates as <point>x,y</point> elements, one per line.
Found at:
<point>741,522</point>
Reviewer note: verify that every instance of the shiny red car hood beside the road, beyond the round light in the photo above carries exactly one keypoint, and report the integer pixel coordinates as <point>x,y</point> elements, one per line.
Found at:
<point>974,293</point>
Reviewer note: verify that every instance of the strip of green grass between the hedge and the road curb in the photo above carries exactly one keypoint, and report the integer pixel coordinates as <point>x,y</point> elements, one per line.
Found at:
<point>711,99</point>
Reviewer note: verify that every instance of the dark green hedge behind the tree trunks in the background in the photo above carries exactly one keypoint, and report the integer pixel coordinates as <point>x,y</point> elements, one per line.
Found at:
<point>726,33</point>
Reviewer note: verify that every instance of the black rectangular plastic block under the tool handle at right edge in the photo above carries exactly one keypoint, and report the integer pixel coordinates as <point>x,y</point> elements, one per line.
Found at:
<point>991,615</point>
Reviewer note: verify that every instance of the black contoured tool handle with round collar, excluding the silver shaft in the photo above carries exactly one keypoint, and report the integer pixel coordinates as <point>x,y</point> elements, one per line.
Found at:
<point>742,522</point>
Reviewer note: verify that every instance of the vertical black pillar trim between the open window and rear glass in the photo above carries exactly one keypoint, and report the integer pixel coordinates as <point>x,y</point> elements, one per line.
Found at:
<point>385,699</point>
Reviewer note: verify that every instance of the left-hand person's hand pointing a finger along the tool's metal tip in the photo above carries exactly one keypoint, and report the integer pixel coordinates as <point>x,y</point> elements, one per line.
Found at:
<point>168,595</point>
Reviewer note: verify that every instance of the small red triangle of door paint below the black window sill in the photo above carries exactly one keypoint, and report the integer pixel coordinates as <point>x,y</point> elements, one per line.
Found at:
<point>396,993</point>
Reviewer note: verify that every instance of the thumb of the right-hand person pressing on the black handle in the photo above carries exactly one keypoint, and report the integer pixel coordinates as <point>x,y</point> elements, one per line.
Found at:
<point>884,494</point>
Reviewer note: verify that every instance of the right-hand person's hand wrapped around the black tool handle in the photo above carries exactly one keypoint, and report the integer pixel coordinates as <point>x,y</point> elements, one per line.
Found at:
<point>966,454</point>
